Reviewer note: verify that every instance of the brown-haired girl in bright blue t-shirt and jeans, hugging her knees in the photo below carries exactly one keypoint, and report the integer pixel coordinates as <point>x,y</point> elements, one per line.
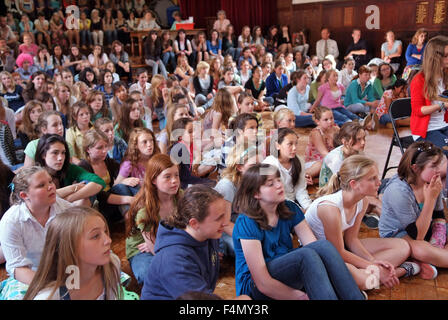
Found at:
<point>267,266</point>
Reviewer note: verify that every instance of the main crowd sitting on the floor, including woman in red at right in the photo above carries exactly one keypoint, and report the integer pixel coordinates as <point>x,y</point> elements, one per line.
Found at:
<point>85,145</point>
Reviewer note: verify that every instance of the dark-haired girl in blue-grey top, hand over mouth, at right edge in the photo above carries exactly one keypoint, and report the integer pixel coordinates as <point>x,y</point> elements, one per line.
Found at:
<point>413,209</point>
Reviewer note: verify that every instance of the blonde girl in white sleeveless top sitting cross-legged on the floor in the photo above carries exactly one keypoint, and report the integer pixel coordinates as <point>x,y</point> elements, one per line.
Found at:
<point>337,215</point>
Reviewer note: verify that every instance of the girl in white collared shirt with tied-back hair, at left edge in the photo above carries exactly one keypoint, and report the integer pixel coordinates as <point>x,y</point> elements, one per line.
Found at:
<point>24,226</point>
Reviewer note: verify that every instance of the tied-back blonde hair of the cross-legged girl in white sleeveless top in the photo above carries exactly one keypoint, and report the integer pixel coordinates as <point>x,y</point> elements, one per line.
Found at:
<point>354,167</point>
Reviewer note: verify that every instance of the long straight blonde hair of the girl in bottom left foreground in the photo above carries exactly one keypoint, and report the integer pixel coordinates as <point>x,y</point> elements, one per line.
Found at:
<point>62,250</point>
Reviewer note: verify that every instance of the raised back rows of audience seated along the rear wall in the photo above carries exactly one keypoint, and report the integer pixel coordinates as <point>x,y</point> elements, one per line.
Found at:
<point>105,24</point>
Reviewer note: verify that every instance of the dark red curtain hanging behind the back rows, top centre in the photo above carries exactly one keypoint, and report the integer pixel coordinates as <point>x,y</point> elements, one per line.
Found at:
<point>239,12</point>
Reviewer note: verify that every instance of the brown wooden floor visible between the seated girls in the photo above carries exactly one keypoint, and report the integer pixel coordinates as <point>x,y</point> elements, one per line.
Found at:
<point>409,289</point>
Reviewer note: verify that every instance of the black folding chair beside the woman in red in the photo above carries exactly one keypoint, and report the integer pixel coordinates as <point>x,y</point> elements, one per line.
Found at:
<point>399,109</point>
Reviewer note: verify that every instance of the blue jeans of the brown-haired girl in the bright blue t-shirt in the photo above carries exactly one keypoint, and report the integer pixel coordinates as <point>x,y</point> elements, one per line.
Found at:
<point>318,269</point>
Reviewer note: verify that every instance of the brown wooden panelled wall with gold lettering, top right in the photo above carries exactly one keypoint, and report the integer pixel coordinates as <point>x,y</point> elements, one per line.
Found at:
<point>404,17</point>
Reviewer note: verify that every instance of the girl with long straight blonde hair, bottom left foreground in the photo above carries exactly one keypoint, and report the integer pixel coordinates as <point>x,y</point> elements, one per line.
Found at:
<point>77,237</point>
